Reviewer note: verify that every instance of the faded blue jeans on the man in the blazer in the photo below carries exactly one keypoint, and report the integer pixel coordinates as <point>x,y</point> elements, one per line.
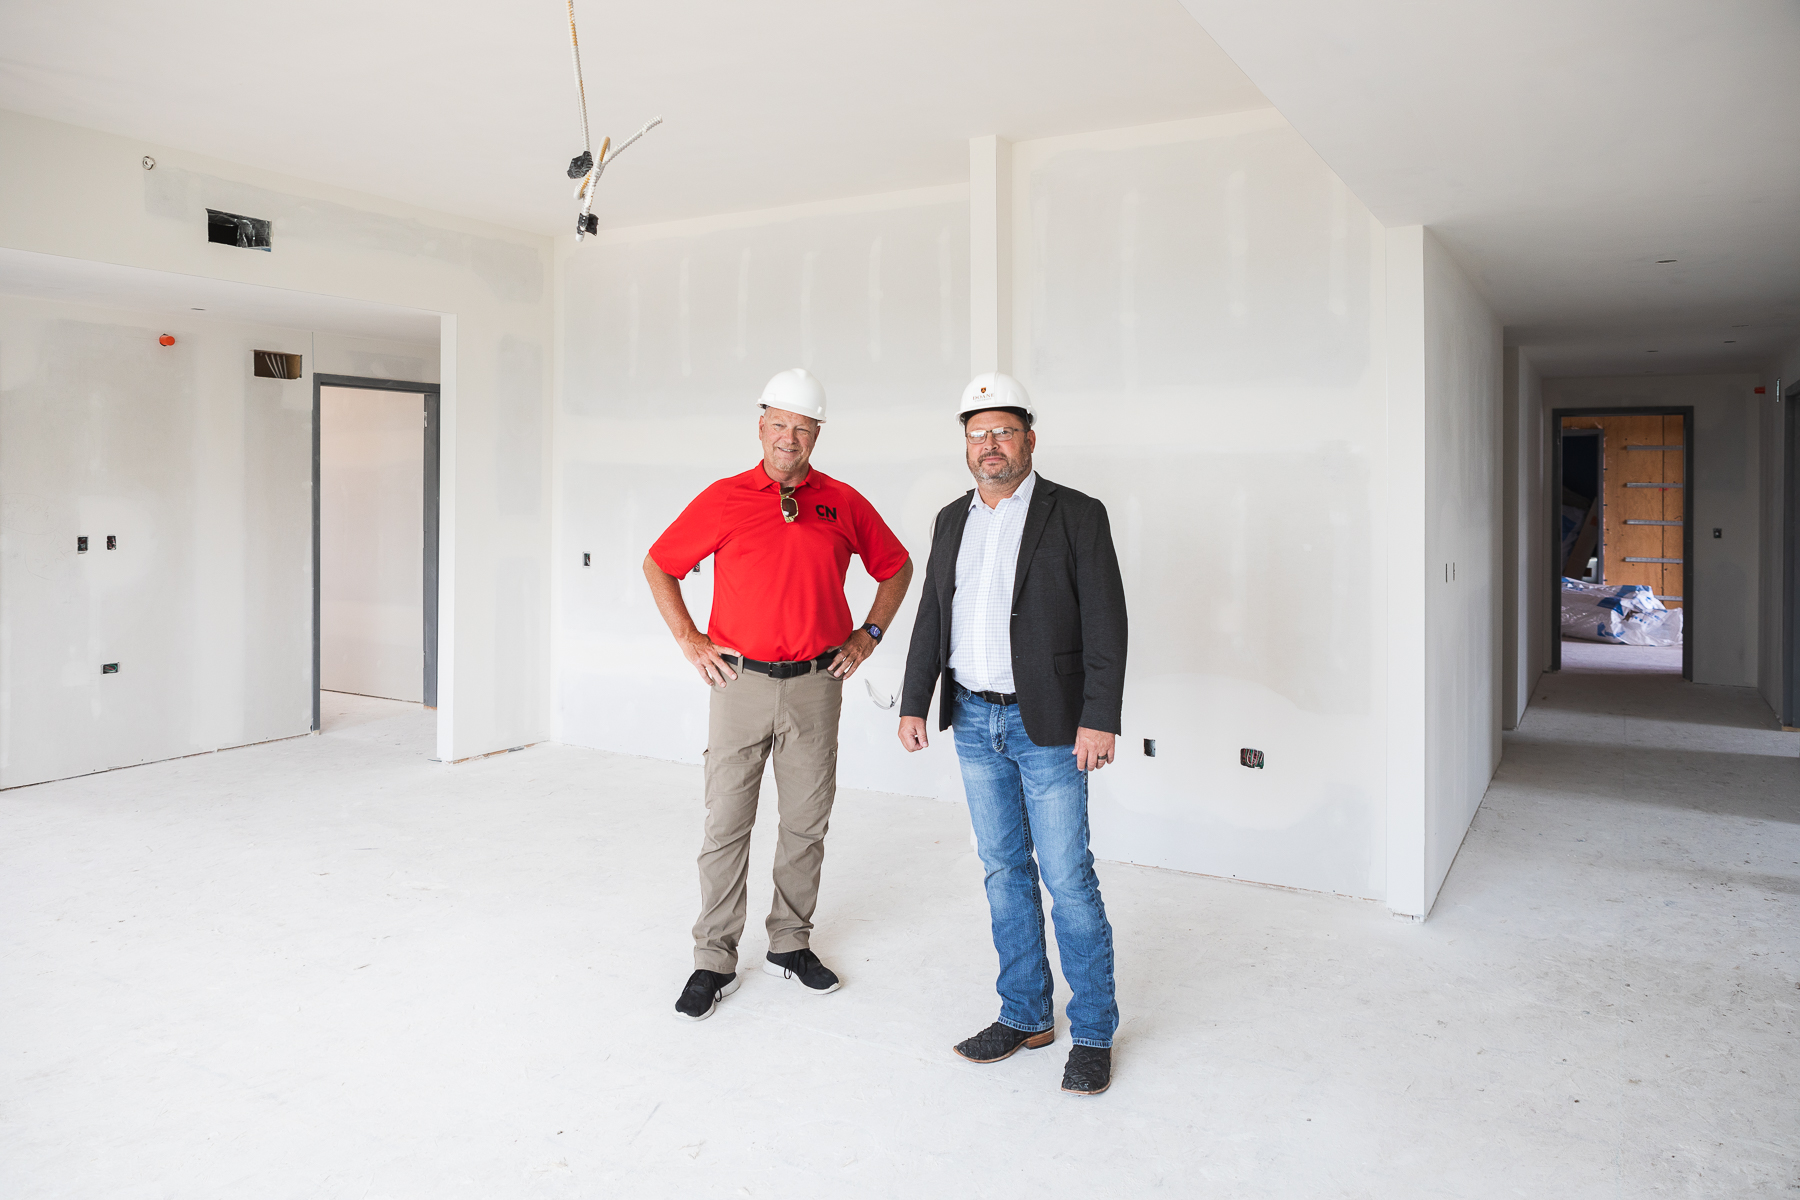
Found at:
<point>1025,798</point>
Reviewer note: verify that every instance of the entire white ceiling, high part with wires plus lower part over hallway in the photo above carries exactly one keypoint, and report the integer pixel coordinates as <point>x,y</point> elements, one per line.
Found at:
<point>1558,148</point>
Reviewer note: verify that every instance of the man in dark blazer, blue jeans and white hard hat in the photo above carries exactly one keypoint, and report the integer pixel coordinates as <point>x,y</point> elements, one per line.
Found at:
<point>1021,631</point>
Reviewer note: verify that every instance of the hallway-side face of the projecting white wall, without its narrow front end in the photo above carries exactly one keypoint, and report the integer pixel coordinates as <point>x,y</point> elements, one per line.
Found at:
<point>1464,546</point>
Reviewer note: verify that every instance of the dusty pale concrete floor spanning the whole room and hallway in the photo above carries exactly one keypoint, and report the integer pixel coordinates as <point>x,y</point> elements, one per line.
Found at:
<point>334,969</point>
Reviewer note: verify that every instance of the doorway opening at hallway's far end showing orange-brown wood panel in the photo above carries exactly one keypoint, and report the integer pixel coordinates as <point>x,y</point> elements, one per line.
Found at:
<point>1623,539</point>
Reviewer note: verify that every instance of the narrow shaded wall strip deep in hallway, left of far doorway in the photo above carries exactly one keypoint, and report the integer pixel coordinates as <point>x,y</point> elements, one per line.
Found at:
<point>1525,620</point>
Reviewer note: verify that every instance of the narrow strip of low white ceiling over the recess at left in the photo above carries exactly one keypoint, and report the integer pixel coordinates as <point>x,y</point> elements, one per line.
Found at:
<point>82,282</point>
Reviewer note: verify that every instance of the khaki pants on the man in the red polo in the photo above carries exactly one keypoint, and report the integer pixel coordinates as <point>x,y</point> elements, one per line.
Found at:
<point>753,715</point>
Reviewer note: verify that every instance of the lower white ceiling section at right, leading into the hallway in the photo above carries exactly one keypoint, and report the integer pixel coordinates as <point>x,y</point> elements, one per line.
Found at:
<point>1560,150</point>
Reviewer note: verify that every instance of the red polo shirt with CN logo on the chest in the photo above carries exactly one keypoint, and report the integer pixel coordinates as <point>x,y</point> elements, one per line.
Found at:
<point>778,589</point>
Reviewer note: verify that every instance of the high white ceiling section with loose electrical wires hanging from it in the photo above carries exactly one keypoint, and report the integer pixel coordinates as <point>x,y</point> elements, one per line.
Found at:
<point>469,107</point>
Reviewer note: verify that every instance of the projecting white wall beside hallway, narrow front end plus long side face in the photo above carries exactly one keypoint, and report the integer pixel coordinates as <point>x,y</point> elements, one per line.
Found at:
<point>1444,573</point>
